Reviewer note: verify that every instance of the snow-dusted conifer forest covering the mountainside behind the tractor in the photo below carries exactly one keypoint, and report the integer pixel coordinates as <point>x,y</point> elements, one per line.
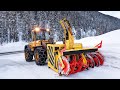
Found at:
<point>17,25</point>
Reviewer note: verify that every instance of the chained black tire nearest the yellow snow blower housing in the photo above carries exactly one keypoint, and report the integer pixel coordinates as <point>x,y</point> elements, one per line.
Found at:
<point>40,56</point>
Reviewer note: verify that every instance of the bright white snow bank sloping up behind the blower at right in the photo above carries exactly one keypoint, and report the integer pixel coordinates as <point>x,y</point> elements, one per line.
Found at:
<point>109,38</point>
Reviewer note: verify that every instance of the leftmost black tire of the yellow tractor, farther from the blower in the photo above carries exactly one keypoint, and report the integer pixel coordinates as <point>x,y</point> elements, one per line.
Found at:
<point>28,54</point>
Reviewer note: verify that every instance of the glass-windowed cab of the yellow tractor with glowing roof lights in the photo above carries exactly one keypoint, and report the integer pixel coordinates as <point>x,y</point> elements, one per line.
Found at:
<point>40,34</point>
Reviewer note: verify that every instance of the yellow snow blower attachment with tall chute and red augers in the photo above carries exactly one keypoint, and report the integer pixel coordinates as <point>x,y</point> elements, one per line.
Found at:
<point>69,57</point>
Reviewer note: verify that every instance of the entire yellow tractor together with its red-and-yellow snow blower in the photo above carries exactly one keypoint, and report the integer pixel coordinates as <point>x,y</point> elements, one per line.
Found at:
<point>66,58</point>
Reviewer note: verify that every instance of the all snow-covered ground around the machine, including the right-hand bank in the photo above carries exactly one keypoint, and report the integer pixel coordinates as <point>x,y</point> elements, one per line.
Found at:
<point>15,67</point>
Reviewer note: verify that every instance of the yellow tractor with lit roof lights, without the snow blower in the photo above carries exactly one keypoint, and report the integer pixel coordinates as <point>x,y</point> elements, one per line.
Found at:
<point>38,47</point>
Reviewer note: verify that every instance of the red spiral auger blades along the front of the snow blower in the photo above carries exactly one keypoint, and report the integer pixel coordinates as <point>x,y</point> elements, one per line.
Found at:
<point>74,63</point>
